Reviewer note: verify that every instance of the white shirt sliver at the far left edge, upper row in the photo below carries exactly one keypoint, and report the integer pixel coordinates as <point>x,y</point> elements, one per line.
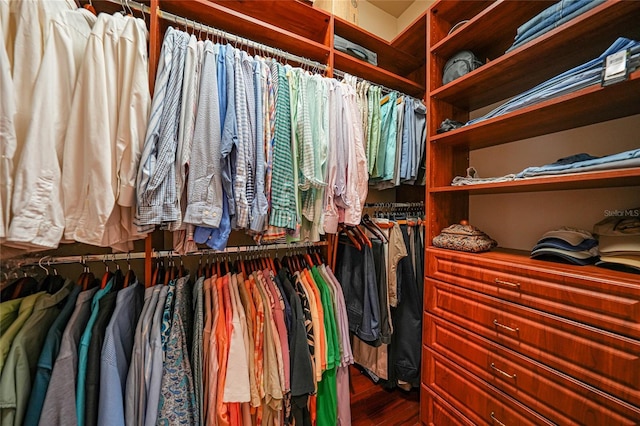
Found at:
<point>7,134</point>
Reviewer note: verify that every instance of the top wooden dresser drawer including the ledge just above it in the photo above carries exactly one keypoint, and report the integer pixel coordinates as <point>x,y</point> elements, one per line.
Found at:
<point>599,300</point>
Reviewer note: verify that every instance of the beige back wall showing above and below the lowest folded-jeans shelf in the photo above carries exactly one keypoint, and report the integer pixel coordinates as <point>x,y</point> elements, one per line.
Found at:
<point>519,220</point>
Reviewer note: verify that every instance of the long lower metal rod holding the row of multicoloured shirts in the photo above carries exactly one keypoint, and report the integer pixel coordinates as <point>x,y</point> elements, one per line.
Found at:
<point>82,259</point>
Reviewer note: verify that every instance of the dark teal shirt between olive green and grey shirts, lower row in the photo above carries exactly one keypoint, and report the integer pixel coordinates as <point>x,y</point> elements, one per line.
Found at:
<point>47,358</point>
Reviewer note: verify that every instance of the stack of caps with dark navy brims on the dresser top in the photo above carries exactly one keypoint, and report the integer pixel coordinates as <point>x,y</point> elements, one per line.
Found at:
<point>567,244</point>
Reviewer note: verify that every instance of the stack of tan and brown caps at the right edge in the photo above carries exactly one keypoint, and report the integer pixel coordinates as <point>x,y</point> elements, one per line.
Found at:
<point>619,237</point>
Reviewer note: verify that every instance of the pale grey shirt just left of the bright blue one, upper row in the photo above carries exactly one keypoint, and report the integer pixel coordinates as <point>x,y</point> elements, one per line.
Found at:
<point>204,187</point>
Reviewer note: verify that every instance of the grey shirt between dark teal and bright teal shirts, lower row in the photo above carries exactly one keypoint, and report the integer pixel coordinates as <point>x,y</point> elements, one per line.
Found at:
<point>60,401</point>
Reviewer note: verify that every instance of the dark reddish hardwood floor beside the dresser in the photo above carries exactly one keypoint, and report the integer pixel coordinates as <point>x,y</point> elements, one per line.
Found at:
<point>371,405</point>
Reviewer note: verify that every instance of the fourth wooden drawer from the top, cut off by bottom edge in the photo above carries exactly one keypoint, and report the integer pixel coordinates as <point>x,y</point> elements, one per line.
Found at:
<point>481,403</point>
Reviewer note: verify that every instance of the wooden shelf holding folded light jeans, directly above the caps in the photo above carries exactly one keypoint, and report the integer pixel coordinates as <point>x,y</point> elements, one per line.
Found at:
<point>588,180</point>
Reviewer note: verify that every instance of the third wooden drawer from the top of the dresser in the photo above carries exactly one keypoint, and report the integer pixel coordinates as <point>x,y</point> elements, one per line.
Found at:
<point>557,397</point>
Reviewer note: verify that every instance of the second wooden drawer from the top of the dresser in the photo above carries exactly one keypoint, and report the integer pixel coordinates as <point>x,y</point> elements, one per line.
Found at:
<point>603,360</point>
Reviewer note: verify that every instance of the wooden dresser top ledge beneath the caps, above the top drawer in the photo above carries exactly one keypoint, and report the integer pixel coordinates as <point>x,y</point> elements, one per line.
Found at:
<point>523,258</point>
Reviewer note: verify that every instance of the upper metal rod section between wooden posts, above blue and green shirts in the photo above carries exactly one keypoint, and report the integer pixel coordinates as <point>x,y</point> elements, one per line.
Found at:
<point>240,40</point>
